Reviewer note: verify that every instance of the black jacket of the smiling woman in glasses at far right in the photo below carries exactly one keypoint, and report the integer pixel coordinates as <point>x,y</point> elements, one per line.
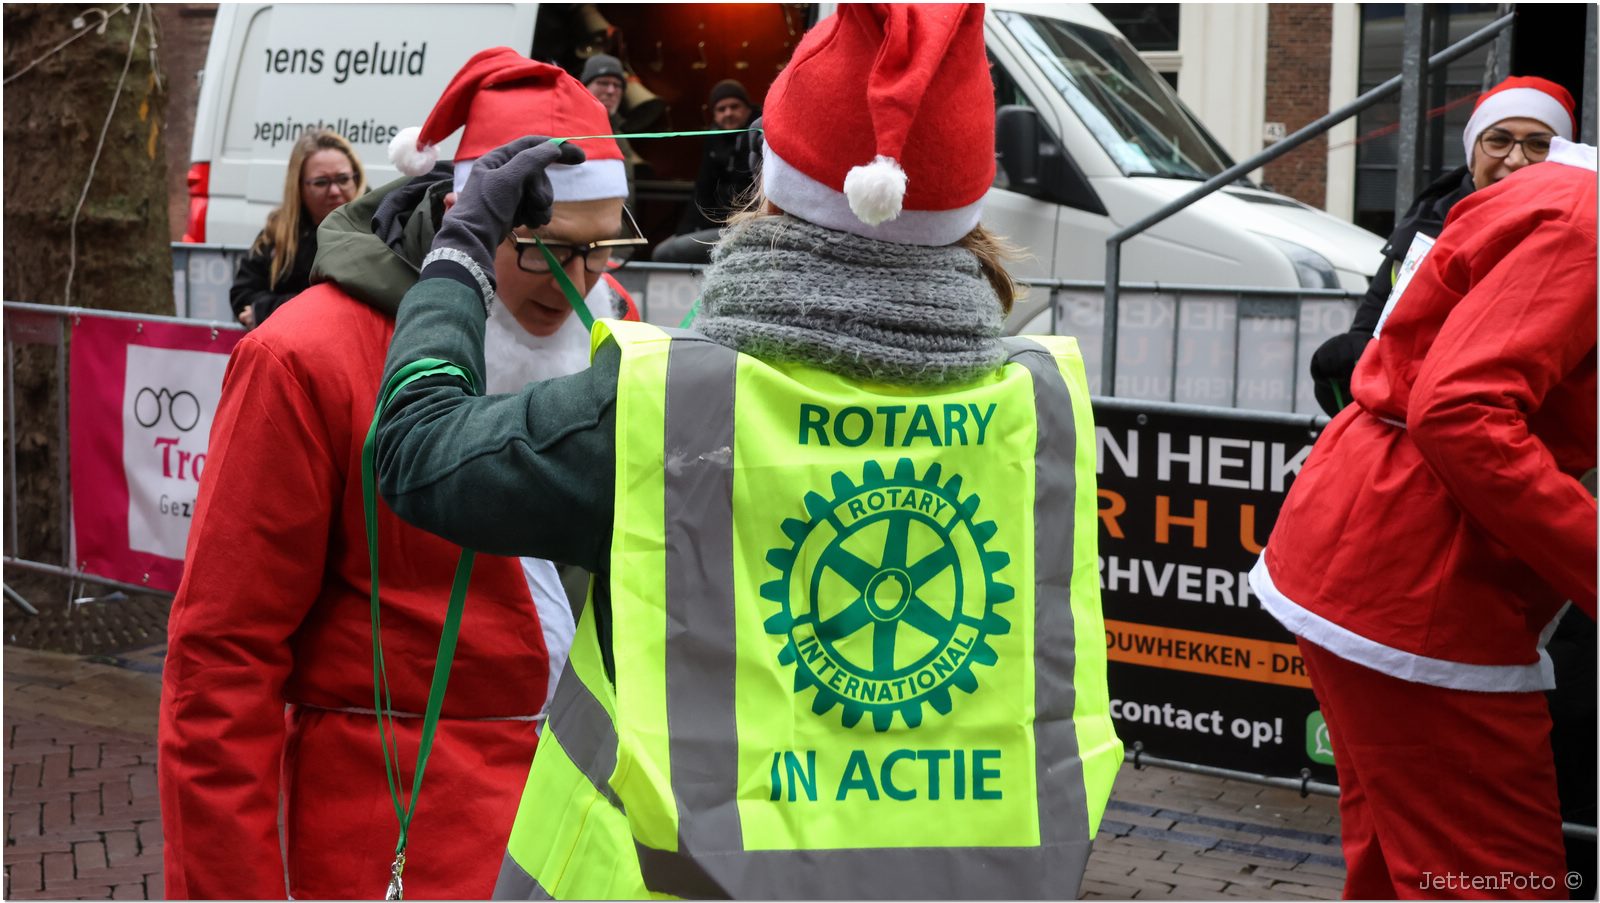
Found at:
<point>1335,361</point>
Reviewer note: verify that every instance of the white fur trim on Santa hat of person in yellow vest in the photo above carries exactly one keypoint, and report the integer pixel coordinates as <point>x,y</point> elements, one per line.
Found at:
<point>815,203</point>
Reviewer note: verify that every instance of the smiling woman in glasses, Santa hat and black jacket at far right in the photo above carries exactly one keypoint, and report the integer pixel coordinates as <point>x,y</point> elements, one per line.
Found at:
<point>1511,127</point>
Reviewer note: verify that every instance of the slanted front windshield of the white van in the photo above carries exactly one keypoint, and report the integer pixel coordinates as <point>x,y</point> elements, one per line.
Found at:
<point>1127,106</point>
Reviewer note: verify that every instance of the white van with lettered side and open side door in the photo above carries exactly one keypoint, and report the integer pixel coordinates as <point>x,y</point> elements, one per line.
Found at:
<point>1090,138</point>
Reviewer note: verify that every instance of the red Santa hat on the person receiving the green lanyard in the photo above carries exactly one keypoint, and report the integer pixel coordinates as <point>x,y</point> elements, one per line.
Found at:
<point>500,97</point>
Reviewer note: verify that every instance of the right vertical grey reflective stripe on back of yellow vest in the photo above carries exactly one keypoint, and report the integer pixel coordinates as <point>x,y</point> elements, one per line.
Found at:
<point>1063,803</point>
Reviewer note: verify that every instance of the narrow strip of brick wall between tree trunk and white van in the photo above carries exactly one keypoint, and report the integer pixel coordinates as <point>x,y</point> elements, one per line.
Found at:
<point>185,38</point>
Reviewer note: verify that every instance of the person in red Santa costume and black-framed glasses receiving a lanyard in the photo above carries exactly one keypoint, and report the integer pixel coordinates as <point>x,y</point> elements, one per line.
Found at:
<point>268,689</point>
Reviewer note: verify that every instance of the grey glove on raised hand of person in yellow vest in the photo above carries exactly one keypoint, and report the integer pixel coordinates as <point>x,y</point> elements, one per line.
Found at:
<point>508,188</point>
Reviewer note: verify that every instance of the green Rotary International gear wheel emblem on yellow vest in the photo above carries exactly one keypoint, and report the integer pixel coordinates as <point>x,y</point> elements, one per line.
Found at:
<point>887,595</point>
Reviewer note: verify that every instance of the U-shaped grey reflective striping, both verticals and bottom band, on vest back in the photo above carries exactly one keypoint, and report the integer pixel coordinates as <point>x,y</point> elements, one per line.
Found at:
<point>711,862</point>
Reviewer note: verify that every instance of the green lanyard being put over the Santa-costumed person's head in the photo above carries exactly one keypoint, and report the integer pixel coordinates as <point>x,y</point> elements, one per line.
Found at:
<point>450,633</point>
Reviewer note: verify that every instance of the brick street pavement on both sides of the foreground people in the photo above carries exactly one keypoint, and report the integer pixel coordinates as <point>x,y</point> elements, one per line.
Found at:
<point>82,819</point>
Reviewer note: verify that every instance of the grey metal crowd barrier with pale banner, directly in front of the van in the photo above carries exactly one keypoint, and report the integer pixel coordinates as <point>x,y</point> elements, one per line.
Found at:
<point>1206,345</point>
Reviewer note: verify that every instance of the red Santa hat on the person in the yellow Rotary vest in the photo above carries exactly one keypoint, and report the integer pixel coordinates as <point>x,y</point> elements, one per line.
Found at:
<point>905,155</point>
